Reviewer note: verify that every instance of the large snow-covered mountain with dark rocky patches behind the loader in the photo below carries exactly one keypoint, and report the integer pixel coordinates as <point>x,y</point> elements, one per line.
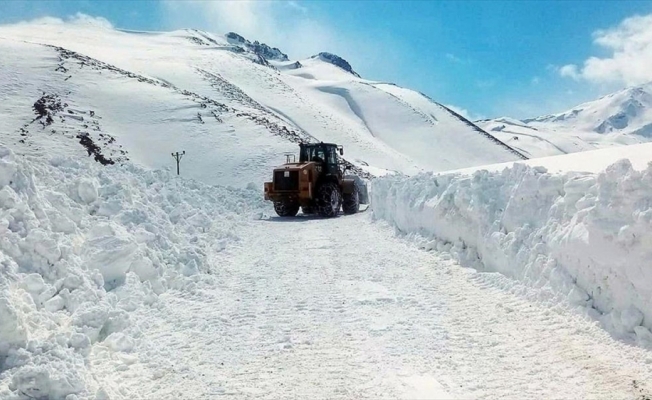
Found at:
<point>233,105</point>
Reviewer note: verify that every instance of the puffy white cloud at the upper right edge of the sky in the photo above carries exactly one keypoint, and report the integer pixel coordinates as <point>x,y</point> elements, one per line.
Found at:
<point>630,44</point>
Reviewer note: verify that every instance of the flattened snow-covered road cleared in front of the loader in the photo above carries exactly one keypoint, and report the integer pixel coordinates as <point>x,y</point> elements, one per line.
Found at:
<point>341,308</point>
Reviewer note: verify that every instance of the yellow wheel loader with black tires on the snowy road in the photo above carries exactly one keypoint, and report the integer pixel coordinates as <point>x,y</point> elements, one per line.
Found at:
<point>316,184</point>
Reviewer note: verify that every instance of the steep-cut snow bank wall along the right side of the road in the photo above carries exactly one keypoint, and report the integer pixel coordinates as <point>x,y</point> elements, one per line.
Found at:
<point>587,236</point>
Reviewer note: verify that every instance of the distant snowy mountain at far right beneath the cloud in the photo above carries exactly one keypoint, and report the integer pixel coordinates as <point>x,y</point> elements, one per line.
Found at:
<point>621,118</point>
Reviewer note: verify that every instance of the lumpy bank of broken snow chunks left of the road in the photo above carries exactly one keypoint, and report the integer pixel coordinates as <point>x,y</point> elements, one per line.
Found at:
<point>82,246</point>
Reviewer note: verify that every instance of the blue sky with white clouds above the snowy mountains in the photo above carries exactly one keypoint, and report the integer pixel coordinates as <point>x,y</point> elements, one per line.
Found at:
<point>491,58</point>
